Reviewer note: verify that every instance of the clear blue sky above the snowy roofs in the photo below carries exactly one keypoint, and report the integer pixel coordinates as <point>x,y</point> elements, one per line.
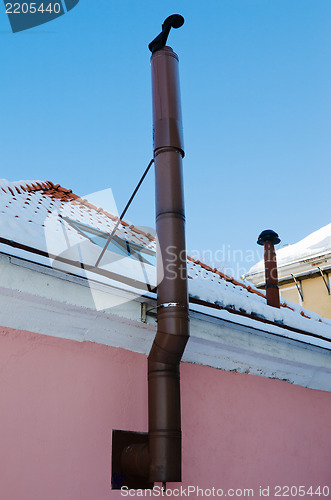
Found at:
<point>255,83</point>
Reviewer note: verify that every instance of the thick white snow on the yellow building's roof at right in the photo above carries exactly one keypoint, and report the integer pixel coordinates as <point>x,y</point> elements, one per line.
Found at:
<point>316,244</point>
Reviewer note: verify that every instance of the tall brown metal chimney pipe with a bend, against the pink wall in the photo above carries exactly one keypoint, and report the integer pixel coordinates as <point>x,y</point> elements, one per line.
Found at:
<point>172,296</point>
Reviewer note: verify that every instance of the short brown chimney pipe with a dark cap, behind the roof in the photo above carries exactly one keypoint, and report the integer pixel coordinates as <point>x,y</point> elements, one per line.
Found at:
<point>269,239</point>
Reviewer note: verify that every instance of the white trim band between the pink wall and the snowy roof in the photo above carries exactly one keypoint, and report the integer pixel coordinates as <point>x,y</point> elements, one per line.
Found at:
<point>216,339</point>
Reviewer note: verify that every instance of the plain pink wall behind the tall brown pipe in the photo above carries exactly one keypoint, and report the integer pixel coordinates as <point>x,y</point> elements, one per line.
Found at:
<point>60,400</point>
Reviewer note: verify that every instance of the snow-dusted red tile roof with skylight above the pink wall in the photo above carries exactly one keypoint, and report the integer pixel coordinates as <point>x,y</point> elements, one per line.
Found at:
<point>48,224</point>
